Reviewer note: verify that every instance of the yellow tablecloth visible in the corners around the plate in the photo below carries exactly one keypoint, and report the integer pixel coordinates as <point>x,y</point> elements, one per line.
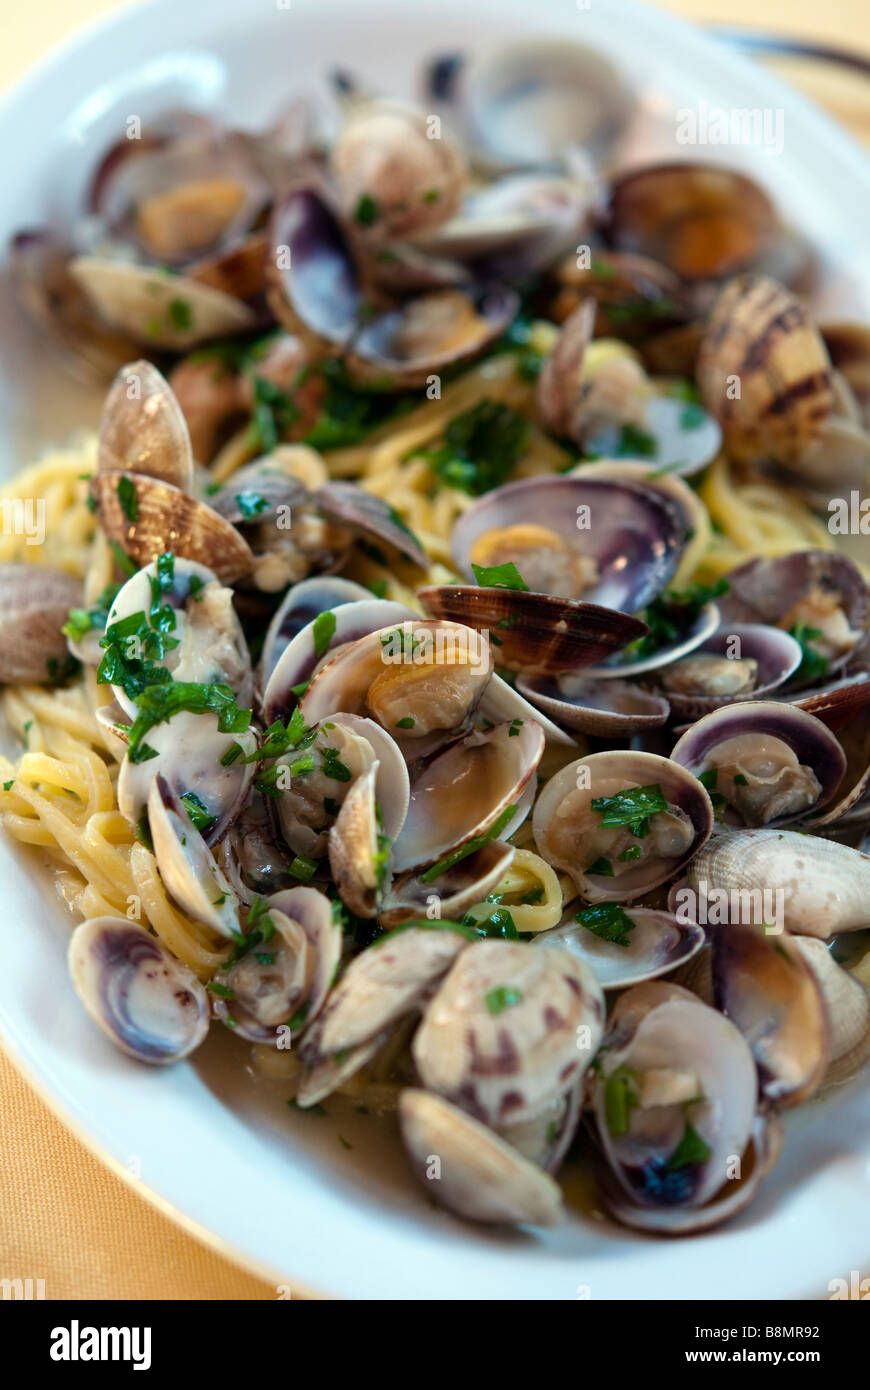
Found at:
<point>63,1217</point>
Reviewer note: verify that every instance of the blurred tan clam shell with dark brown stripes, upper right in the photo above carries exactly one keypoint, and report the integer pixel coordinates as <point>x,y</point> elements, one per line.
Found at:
<point>764,372</point>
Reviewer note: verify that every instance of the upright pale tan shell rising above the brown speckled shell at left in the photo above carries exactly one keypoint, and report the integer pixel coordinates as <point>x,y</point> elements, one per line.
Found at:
<point>142,429</point>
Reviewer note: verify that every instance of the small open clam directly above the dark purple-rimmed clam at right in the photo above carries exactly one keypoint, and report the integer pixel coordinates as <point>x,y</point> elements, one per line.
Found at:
<point>775,655</point>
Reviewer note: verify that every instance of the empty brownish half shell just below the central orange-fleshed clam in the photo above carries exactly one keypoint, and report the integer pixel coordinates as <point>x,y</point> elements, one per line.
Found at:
<point>466,793</point>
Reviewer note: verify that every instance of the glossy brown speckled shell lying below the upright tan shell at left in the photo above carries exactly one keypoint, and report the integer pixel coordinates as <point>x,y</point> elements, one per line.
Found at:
<point>167,519</point>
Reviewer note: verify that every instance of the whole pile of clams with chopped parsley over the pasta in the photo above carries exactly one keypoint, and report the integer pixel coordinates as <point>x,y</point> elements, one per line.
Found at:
<point>561,847</point>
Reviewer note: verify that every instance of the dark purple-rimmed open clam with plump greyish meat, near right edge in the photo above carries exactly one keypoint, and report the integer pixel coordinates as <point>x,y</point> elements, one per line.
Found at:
<point>771,762</point>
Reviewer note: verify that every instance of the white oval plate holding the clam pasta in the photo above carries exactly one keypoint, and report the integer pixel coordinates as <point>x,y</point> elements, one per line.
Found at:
<point>269,1185</point>
